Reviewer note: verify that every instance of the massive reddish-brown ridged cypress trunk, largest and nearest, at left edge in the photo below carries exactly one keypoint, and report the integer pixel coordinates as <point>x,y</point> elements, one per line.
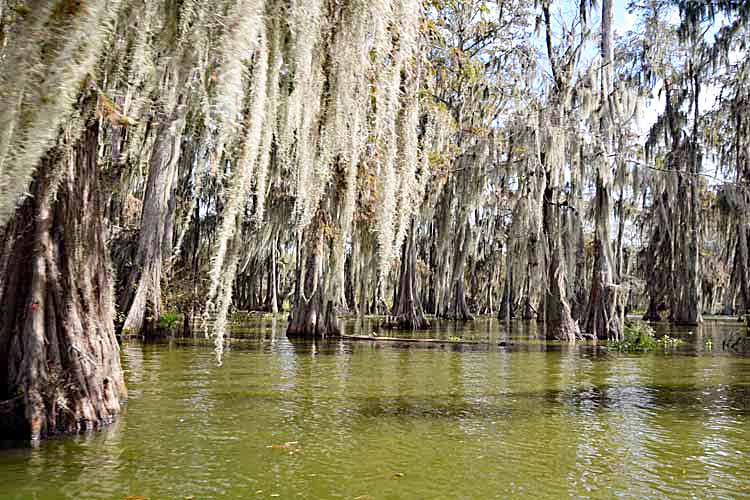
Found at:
<point>59,358</point>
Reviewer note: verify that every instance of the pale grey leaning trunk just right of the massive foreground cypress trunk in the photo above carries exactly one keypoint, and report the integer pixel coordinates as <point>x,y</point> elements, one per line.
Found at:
<point>141,298</point>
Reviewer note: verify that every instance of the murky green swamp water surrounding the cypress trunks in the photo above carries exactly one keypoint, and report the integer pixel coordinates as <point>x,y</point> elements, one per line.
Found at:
<point>392,421</point>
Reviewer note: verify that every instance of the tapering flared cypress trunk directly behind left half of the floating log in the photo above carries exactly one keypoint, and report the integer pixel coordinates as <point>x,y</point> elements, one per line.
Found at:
<point>407,309</point>
